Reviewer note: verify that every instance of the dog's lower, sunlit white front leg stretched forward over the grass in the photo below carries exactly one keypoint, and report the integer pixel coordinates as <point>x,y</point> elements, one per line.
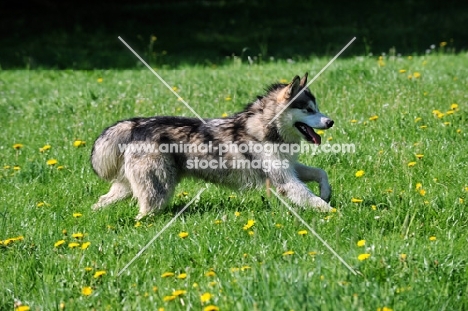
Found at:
<point>298,192</point>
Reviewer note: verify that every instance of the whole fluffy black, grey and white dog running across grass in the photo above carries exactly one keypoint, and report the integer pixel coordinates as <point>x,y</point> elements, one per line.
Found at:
<point>147,157</point>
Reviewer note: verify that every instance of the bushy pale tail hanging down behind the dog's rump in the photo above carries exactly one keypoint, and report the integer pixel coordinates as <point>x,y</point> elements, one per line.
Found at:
<point>107,156</point>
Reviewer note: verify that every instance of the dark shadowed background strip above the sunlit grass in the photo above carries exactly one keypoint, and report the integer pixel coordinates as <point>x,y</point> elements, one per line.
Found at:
<point>83,34</point>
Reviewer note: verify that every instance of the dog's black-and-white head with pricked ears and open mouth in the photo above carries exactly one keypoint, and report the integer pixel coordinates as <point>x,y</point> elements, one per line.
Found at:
<point>298,113</point>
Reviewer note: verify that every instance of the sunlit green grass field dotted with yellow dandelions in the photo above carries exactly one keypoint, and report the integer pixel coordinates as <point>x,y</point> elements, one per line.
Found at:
<point>406,116</point>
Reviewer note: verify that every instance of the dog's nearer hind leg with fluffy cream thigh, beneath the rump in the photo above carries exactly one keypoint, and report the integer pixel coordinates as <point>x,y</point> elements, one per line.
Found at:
<point>152,179</point>
